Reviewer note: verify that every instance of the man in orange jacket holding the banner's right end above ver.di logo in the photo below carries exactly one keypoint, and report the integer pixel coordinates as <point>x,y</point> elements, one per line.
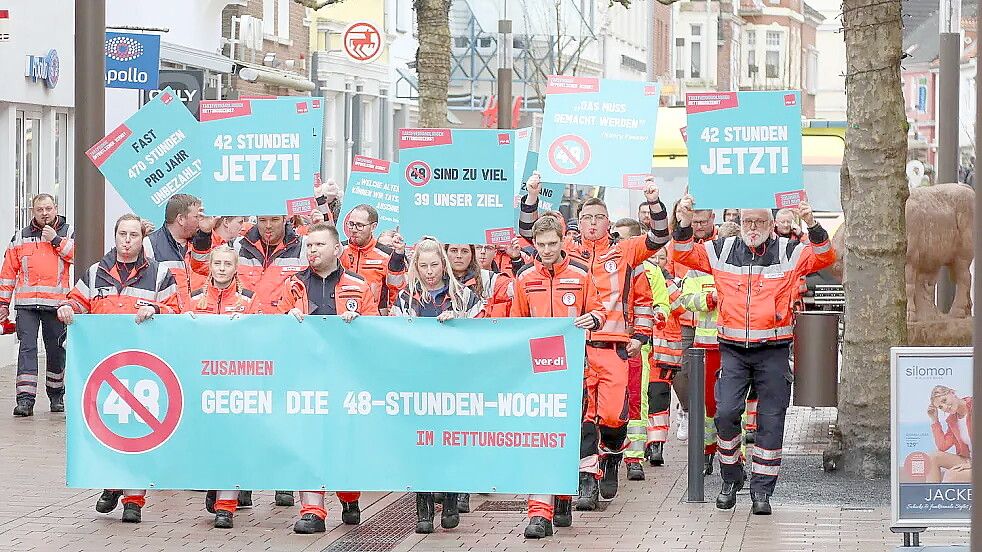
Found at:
<point>555,285</point>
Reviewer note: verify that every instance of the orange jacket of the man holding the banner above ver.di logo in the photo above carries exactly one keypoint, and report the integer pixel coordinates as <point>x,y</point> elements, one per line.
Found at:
<point>561,291</point>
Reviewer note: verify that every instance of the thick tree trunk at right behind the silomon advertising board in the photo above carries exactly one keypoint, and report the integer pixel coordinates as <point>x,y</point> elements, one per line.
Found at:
<point>874,191</point>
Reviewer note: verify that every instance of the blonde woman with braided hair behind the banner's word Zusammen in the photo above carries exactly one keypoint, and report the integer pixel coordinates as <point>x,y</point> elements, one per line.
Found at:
<point>223,294</point>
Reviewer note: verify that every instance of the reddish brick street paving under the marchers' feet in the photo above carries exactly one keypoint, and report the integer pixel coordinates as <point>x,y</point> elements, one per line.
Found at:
<point>813,510</point>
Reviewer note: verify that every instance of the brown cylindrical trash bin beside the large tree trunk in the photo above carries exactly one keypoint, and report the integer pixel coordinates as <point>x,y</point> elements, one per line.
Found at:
<point>816,359</point>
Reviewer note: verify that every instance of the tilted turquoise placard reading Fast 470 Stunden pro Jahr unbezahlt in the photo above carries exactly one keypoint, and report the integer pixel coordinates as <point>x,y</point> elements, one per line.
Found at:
<point>155,154</point>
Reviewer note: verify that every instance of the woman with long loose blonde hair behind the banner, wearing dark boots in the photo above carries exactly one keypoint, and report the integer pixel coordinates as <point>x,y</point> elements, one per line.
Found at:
<point>434,292</point>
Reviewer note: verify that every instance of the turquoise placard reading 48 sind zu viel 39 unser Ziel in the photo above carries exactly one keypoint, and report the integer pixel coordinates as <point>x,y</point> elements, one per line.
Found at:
<point>461,184</point>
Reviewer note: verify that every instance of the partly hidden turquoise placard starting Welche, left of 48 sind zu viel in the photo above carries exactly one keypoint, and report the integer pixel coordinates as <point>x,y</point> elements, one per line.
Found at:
<point>372,182</point>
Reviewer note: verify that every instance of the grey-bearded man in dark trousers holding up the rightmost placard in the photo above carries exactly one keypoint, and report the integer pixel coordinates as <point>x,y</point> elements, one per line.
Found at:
<point>756,277</point>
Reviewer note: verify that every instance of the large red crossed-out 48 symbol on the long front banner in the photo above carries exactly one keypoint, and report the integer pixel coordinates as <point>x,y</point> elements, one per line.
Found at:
<point>160,428</point>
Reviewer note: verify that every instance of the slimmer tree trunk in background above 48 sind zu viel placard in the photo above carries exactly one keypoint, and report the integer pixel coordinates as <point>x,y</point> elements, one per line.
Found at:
<point>433,61</point>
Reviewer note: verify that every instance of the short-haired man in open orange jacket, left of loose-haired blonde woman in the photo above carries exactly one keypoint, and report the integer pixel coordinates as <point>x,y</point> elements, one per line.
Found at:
<point>327,289</point>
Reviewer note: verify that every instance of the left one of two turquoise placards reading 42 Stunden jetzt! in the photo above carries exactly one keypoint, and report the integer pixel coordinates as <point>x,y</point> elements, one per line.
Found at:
<point>261,155</point>
